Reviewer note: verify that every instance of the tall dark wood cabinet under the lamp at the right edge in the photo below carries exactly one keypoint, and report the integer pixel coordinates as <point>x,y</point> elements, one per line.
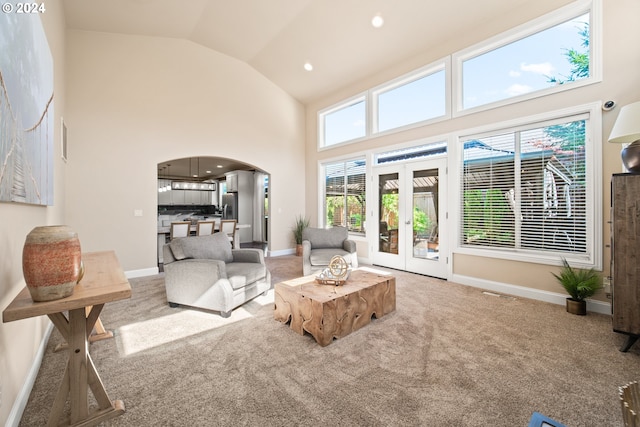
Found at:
<point>625,256</point>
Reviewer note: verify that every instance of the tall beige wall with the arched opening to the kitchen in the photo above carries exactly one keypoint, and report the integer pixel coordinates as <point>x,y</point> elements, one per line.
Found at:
<point>134,101</point>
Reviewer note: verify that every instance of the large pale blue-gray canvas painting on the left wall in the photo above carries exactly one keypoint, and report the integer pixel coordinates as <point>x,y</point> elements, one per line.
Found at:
<point>26,111</point>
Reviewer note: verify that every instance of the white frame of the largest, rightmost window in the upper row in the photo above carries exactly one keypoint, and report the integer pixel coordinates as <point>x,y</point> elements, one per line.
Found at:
<point>594,7</point>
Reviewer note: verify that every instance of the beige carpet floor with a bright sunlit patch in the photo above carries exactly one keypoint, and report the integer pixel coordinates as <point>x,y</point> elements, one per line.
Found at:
<point>449,355</point>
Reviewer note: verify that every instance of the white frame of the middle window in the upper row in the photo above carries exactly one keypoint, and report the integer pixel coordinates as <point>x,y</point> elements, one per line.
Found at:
<point>443,64</point>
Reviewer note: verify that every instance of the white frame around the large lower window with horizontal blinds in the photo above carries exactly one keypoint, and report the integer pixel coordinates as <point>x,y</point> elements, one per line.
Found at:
<point>593,146</point>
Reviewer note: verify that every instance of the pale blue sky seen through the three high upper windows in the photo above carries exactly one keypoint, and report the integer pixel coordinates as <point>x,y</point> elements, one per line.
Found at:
<point>515,69</point>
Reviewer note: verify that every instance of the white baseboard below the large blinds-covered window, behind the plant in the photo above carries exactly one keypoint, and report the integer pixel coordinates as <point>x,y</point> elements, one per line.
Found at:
<point>524,292</point>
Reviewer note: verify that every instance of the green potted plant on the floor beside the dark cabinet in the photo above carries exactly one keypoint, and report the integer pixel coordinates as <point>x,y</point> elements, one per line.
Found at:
<point>580,284</point>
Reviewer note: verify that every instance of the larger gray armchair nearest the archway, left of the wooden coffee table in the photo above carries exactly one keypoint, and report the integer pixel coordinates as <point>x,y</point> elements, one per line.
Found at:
<point>205,272</point>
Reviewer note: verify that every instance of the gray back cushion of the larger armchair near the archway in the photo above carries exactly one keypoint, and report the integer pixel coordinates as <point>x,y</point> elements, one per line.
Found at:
<point>213,246</point>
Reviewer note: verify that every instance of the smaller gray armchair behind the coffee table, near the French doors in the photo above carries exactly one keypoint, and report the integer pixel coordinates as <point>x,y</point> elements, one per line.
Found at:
<point>319,245</point>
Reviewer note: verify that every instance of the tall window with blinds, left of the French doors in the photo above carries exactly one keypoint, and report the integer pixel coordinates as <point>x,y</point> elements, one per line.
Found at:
<point>345,195</point>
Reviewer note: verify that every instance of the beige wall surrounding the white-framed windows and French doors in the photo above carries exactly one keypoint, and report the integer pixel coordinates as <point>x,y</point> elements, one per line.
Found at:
<point>620,83</point>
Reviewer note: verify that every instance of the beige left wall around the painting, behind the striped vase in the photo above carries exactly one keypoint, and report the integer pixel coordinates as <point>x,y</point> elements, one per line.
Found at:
<point>19,340</point>
